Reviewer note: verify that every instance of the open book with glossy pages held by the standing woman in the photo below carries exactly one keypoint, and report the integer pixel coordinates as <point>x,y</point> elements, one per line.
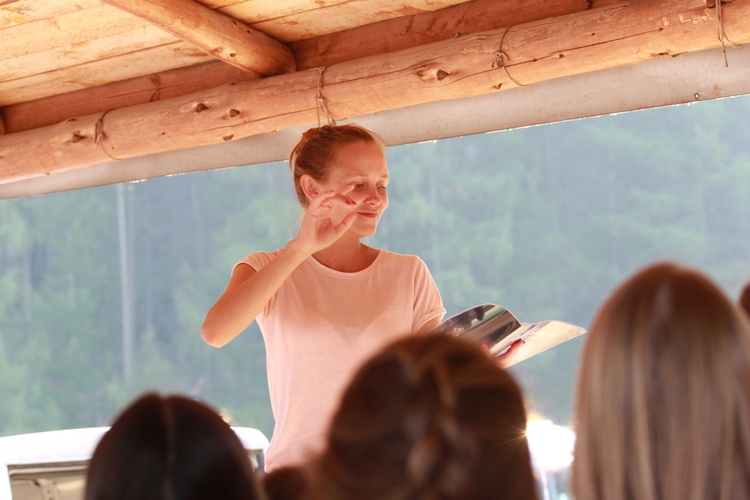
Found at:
<point>496,328</point>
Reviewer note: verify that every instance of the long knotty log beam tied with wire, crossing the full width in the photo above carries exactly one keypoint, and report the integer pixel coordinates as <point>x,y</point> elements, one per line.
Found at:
<point>466,66</point>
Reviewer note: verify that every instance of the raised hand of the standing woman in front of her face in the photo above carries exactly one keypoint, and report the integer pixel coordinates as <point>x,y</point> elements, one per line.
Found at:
<point>319,228</point>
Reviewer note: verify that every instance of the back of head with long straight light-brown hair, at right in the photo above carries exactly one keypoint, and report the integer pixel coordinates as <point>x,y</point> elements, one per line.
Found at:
<point>663,402</point>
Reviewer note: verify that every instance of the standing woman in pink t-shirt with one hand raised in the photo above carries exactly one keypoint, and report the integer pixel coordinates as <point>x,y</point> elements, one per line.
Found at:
<point>326,301</point>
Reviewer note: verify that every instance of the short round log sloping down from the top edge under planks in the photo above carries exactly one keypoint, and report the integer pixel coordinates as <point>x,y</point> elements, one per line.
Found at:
<point>215,33</point>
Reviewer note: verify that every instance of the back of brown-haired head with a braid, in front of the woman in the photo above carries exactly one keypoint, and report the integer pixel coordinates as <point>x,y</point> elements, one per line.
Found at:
<point>429,417</point>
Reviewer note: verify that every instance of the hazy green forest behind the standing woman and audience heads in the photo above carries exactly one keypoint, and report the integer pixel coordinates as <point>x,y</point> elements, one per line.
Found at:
<point>103,290</point>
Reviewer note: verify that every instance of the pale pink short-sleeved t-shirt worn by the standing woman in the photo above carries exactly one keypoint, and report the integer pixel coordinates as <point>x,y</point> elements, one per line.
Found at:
<point>318,328</point>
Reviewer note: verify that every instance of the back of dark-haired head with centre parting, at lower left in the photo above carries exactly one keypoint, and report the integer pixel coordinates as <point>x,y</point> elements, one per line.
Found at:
<point>170,448</point>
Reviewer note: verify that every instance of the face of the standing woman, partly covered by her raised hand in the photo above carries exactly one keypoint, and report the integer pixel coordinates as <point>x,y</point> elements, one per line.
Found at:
<point>360,171</point>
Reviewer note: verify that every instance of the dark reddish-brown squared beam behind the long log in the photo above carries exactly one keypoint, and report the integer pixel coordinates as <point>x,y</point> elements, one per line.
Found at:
<point>382,37</point>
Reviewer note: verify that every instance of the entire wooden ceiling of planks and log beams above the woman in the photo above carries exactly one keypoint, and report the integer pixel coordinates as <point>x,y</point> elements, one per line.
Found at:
<point>85,83</point>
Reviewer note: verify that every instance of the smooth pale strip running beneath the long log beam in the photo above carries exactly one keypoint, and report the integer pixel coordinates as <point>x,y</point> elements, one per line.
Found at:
<point>667,81</point>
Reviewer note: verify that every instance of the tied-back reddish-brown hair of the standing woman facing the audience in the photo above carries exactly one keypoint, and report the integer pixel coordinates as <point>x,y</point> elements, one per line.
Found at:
<point>315,152</point>
